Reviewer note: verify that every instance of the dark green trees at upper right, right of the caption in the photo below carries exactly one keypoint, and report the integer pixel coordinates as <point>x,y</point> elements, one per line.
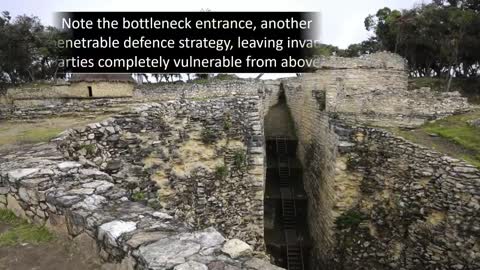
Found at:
<point>440,39</point>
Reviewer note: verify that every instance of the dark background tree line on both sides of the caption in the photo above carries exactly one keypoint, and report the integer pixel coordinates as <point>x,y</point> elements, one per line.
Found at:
<point>440,39</point>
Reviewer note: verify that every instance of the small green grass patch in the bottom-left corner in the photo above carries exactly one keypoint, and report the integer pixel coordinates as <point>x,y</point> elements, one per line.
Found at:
<point>20,231</point>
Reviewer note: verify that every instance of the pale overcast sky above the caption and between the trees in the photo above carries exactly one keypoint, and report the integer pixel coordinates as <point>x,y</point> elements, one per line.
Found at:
<point>341,20</point>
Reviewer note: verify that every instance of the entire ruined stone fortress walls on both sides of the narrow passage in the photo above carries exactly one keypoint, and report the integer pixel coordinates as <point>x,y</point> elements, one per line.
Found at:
<point>375,201</point>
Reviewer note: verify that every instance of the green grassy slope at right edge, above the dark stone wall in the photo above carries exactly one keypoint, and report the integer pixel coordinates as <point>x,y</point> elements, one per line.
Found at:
<point>452,136</point>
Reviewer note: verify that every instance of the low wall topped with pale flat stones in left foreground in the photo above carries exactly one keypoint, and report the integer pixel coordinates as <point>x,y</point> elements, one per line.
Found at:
<point>86,204</point>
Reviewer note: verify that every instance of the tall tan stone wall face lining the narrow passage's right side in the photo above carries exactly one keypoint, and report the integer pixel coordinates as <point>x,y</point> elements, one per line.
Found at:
<point>317,150</point>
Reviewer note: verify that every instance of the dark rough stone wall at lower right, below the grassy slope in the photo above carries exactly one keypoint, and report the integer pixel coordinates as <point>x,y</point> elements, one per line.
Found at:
<point>412,208</point>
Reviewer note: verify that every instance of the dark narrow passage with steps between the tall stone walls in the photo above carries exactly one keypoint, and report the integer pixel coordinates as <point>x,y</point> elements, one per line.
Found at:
<point>286,232</point>
